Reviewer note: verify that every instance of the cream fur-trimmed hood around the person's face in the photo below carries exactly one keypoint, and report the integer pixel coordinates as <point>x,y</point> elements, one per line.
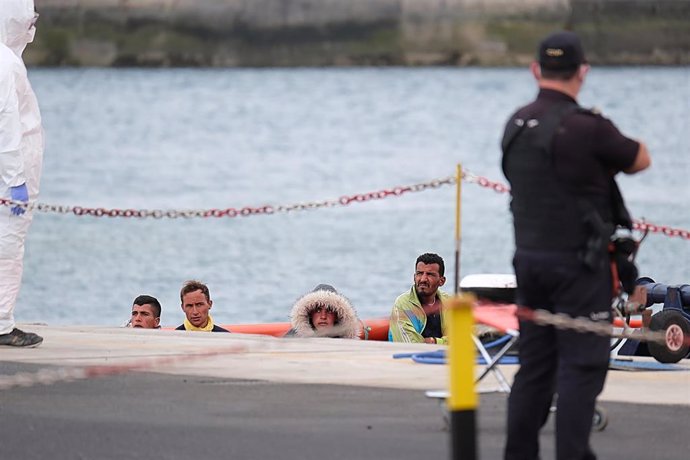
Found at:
<point>347,324</point>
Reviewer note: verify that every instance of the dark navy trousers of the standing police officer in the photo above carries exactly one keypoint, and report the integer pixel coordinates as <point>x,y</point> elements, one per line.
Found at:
<point>571,364</point>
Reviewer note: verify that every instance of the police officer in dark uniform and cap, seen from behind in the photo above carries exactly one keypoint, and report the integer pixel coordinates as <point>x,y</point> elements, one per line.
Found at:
<point>560,160</point>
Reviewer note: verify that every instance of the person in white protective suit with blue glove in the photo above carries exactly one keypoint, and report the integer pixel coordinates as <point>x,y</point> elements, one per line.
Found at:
<point>21,157</point>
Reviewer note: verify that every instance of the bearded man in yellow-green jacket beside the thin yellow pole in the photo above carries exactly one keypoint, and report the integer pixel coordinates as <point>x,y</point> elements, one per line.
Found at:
<point>417,315</point>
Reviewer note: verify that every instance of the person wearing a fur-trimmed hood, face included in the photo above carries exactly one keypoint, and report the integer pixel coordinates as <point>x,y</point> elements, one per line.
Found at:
<point>324,313</point>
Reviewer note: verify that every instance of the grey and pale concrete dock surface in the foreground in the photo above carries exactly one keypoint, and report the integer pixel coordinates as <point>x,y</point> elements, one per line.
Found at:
<point>178,395</point>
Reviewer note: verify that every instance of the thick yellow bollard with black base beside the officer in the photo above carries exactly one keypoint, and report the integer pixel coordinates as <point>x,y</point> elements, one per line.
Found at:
<point>462,403</point>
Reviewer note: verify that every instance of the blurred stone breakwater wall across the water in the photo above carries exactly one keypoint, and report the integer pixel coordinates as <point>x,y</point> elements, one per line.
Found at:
<point>233,33</point>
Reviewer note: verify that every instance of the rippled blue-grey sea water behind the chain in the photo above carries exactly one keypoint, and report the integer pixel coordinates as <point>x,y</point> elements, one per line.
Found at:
<point>198,139</point>
